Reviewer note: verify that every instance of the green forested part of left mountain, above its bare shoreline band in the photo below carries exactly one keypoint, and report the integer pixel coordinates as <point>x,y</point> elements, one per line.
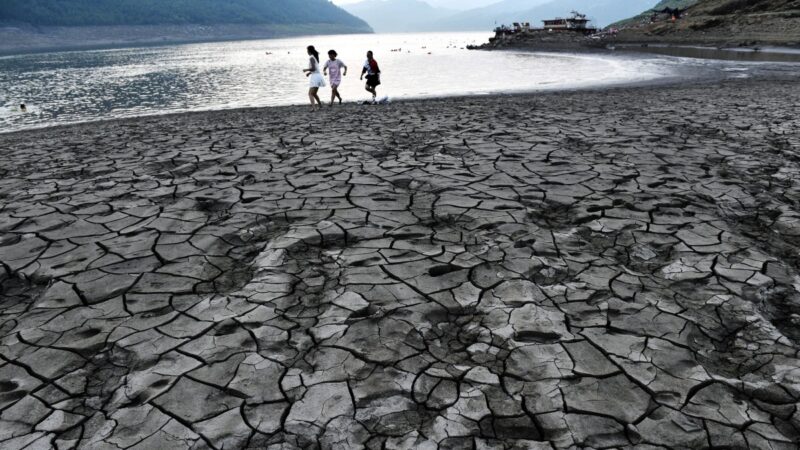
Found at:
<point>174,12</point>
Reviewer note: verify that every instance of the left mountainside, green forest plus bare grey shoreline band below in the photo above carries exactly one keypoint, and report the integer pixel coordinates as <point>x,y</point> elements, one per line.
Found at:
<point>38,25</point>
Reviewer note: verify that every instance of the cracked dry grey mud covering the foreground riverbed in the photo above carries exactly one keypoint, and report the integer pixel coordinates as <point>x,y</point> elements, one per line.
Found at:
<point>579,270</point>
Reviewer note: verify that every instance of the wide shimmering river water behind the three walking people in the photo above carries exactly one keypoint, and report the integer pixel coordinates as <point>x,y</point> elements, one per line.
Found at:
<point>81,86</point>
